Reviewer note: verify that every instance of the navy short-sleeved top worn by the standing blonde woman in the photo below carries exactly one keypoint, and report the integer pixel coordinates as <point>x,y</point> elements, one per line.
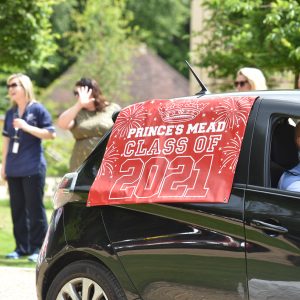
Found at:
<point>30,157</point>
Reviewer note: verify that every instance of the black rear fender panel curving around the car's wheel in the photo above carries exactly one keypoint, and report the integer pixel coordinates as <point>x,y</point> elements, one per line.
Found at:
<point>84,237</point>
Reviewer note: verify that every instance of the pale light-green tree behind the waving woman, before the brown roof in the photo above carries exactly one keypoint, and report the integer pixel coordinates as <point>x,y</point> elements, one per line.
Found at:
<point>99,39</point>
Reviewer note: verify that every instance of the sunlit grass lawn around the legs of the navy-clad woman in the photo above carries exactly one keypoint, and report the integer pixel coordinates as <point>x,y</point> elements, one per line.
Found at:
<point>7,243</point>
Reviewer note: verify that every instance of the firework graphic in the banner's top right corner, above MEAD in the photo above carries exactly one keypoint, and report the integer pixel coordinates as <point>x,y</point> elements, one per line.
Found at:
<point>232,111</point>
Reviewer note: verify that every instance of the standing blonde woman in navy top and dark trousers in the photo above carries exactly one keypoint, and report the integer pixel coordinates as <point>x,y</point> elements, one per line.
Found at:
<point>26,123</point>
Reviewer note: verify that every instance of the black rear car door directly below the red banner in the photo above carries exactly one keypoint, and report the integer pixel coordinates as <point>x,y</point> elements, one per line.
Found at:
<point>182,251</point>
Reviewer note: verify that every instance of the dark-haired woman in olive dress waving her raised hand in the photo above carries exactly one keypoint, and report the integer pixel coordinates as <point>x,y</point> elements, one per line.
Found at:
<point>88,119</point>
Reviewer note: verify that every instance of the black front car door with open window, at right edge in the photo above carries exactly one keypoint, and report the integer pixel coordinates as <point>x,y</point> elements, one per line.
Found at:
<point>272,216</point>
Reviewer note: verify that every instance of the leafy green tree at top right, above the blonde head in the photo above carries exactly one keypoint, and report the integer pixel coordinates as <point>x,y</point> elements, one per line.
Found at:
<point>258,33</point>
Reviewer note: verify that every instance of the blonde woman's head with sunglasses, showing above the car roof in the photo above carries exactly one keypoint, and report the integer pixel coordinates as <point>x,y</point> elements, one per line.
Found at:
<point>249,79</point>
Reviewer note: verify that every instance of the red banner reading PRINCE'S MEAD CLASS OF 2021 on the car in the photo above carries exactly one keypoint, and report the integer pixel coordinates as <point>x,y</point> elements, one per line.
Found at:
<point>179,150</point>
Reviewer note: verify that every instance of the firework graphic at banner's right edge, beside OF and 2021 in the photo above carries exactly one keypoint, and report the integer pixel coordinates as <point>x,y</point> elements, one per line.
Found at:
<point>231,153</point>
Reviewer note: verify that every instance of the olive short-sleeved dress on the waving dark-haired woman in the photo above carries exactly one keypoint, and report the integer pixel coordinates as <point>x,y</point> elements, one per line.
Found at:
<point>88,129</point>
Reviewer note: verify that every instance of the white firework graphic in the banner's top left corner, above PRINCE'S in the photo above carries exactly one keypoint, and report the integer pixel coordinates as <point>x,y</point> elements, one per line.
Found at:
<point>131,117</point>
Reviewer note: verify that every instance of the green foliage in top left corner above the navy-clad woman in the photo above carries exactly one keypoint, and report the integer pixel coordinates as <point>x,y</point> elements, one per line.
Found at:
<point>26,39</point>
